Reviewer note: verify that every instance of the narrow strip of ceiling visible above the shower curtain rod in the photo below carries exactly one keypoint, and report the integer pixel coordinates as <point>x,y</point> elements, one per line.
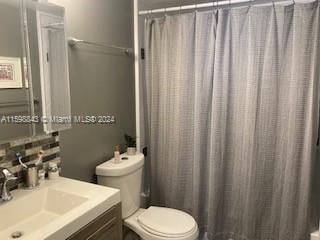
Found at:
<point>154,4</point>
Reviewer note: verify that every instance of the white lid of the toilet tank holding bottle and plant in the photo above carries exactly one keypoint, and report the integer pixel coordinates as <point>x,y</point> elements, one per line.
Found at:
<point>111,169</point>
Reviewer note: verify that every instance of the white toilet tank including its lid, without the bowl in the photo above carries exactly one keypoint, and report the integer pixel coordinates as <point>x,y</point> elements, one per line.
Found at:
<point>125,176</point>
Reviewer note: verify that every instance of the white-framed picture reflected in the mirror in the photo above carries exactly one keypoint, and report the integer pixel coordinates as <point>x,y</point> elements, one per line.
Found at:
<point>10,72</point>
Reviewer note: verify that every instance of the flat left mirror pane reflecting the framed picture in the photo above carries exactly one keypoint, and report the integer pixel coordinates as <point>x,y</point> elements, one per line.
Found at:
<point>14,86</point>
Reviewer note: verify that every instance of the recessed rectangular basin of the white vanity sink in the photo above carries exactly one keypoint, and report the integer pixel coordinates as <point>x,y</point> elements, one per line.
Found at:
<point>35,210</point>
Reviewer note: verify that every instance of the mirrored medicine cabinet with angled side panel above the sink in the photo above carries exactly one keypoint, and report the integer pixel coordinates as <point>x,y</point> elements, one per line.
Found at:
<point>34,78</point>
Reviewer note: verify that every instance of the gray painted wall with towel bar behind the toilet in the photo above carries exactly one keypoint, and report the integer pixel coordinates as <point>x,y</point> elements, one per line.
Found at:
<point>102,83</point>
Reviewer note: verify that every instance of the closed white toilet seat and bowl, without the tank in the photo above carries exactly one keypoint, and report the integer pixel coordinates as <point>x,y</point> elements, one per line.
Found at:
<point>157,223</point>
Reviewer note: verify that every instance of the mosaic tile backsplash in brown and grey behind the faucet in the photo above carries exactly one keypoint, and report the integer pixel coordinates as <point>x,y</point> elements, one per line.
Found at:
<point>29,149</point>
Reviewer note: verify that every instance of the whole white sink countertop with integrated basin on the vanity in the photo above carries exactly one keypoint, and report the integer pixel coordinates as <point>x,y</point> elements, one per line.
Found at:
<point>55,210</point>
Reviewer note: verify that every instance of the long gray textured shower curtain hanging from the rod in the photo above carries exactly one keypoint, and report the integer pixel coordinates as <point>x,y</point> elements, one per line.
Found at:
<point>232,102</point>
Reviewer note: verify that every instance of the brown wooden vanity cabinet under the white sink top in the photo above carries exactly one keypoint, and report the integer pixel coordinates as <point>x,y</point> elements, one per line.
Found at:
<point>106,226</point>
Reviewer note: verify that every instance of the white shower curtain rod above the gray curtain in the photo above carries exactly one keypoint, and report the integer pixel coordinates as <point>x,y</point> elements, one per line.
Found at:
<point>234,3</point>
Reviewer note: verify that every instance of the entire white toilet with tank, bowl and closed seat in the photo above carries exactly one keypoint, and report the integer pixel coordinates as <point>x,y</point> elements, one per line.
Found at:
<point>154,223</point>
